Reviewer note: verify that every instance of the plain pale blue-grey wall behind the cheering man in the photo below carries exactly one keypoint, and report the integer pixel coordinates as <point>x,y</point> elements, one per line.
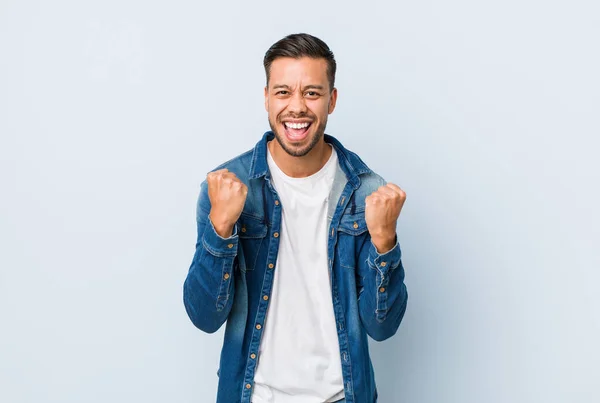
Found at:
<point>485,112</point>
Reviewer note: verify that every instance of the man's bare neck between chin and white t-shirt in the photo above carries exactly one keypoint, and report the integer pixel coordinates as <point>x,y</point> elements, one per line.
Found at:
<point>300,167</point>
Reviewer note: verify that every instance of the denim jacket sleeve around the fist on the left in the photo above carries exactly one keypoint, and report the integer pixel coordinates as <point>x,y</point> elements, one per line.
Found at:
<point>208,290</point>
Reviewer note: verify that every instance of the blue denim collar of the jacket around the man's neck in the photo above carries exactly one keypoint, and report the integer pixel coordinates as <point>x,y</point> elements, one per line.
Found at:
<point>350,163</point>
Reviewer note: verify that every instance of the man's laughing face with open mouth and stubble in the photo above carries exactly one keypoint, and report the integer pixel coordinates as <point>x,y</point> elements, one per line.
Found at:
<point>298,100</point>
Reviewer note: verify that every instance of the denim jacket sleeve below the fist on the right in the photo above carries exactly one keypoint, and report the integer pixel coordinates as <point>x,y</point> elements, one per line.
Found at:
<point>382,300</point>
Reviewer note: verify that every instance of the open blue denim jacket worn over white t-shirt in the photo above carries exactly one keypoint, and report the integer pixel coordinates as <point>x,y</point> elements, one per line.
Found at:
<point>229,277</point>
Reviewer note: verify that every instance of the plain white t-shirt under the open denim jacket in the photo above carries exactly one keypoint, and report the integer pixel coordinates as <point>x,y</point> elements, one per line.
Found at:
<point>299,356</point>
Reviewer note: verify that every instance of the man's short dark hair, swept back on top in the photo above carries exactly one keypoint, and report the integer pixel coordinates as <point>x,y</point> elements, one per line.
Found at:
<point>301,45</point>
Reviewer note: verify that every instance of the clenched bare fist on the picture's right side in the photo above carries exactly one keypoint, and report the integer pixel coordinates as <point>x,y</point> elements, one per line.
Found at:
<point>382,209</point>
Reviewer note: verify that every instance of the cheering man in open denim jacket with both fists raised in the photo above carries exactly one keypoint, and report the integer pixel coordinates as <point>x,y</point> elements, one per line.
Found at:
<point>297,249</point>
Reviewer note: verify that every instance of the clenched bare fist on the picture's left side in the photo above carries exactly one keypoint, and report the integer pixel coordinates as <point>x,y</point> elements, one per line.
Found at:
<point>227,196</point>
